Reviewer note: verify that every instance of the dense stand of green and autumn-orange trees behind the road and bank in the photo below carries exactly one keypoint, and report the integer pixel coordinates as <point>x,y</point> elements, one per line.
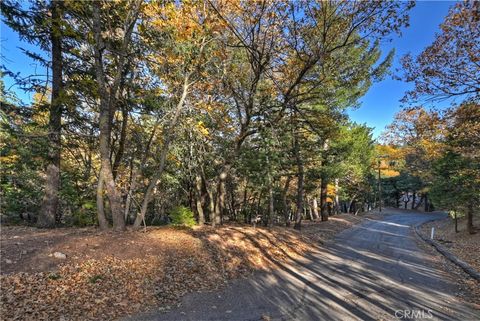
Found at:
<point>204,112</point>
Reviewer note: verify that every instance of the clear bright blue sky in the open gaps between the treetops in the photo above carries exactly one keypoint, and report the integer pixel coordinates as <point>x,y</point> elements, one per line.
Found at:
<point>378,106</point>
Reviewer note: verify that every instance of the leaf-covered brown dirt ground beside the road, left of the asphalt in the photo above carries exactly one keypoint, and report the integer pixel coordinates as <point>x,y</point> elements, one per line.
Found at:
<point>85,274</point>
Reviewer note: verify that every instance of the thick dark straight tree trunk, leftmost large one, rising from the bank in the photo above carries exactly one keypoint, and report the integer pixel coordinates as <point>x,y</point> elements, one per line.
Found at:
<point>49,208</point>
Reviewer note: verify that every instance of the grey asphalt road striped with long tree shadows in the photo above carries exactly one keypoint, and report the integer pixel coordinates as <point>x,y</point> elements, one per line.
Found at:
<point>374,271</point>
